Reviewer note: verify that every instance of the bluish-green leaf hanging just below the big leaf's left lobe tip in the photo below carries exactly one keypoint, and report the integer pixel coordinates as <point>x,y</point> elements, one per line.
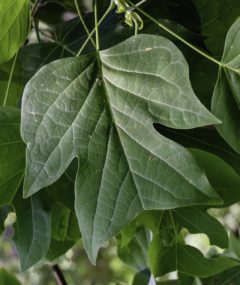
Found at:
<point>32,230</point>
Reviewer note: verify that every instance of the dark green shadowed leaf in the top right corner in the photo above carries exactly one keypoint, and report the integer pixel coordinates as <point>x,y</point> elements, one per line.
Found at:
<point>216,18</point>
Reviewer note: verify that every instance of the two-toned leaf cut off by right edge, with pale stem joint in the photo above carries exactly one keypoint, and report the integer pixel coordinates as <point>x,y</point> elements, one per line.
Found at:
<point>226,97</point>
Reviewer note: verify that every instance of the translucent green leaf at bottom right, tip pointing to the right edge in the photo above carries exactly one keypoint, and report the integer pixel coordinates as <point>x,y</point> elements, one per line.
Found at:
<point>184,258</point>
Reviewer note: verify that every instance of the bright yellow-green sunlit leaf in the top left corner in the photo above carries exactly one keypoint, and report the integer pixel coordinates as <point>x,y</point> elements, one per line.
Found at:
<point>14,26</point>
